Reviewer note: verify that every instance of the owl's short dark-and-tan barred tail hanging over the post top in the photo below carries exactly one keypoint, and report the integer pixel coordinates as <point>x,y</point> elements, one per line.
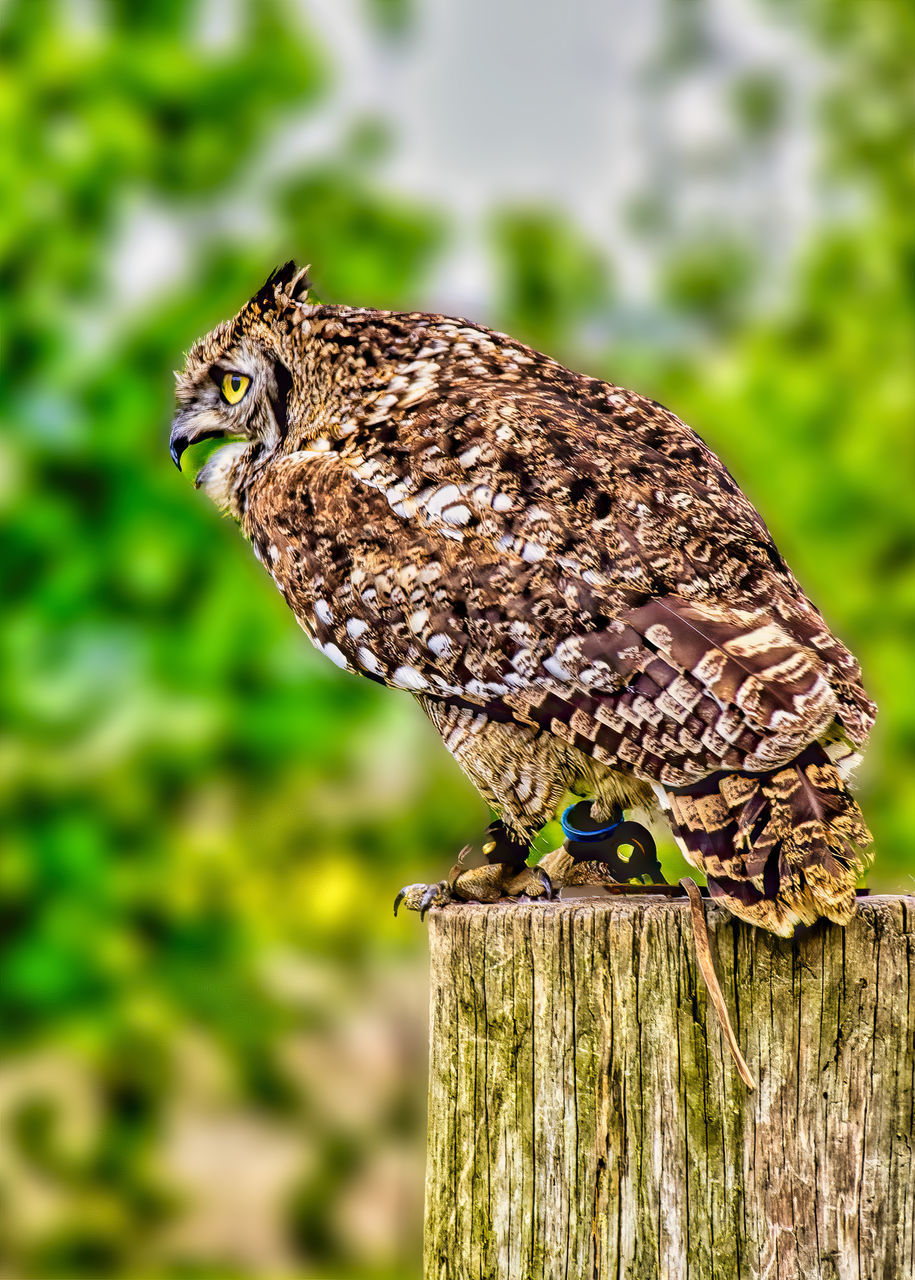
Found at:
<point>779,849</point>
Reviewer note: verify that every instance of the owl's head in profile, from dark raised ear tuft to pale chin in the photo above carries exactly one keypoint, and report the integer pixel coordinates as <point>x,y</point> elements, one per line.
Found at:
<point>237,386</point>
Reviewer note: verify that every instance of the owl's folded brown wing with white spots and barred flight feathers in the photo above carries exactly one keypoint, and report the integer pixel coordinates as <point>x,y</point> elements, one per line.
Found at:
<point>583,564</point>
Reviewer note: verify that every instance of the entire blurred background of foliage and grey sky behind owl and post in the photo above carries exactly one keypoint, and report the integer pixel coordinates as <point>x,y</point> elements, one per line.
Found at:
<point>212,1030</point>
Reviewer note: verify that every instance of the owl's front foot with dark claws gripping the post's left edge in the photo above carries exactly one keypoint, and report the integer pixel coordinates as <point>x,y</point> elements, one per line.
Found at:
<point>506,875</point>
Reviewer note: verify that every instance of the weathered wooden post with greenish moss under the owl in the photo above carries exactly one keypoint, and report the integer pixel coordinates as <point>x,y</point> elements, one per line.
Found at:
<point>585,1118</point>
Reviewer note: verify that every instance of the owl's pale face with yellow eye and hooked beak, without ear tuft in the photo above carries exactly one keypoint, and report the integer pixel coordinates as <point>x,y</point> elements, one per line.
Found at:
<point>234,390</point>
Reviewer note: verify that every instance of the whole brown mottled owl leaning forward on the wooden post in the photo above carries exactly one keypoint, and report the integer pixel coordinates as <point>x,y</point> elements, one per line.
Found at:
<point>561,573</point>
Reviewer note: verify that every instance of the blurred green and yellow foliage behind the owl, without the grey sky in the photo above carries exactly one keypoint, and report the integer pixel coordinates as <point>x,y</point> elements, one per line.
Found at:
<point>189,793</point>
